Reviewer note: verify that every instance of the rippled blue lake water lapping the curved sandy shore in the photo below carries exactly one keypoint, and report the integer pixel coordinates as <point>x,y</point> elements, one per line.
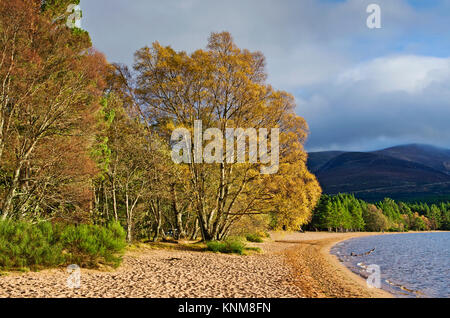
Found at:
<point>412,265</point>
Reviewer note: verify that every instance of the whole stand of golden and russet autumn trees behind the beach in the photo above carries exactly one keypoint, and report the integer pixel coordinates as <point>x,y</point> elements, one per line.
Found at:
<point>84,141</point>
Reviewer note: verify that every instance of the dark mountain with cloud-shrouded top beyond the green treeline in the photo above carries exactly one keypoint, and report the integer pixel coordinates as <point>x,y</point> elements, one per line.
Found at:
<point>407,172</point>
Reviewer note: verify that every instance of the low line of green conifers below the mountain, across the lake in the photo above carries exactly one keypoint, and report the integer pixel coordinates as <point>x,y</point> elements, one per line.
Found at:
<point>344,213</point>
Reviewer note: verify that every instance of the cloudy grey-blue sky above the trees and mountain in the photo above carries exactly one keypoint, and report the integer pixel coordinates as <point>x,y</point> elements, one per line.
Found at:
<point>358,88</point>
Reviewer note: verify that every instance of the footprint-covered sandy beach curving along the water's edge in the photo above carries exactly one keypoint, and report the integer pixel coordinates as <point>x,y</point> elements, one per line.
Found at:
<point>293,265</point>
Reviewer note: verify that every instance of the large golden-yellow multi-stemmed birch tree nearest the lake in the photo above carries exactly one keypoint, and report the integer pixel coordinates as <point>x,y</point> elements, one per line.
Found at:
<point>225,87</point>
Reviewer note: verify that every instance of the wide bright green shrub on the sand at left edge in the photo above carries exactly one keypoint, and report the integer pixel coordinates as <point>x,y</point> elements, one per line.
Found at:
<point>25,245</point>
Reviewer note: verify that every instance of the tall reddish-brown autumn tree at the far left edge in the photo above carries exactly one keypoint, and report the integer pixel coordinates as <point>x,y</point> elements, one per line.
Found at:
<point>50,84</point>
